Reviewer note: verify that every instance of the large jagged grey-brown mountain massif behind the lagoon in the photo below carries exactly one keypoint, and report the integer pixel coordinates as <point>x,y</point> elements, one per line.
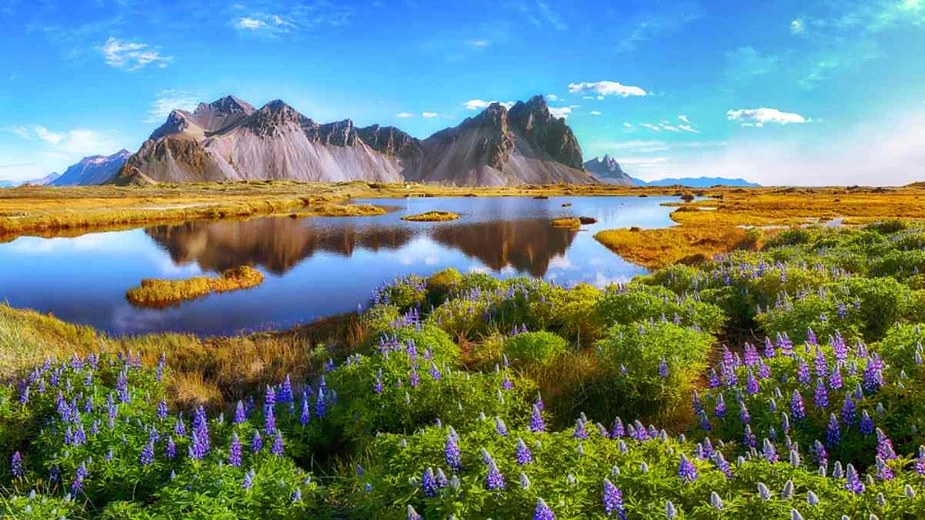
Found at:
<point>230,139</point>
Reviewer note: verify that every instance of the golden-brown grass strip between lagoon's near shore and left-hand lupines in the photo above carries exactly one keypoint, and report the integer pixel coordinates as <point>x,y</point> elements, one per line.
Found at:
<point>205,371</point>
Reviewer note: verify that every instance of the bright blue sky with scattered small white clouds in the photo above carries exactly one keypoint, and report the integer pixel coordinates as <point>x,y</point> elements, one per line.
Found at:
<point>781,92</point>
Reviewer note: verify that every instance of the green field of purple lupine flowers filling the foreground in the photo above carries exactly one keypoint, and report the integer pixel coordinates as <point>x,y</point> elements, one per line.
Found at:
<point>786,382</point>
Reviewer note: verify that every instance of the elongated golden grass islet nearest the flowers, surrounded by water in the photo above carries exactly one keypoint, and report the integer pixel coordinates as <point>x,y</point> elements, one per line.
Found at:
<point>155,292</point>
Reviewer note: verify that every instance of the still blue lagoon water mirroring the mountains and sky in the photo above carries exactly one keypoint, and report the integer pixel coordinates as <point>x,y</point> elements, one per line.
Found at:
<point>315,267</point>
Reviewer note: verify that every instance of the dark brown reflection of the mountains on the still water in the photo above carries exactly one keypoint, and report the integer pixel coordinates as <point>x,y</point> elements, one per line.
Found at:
<point>279,244</point>
